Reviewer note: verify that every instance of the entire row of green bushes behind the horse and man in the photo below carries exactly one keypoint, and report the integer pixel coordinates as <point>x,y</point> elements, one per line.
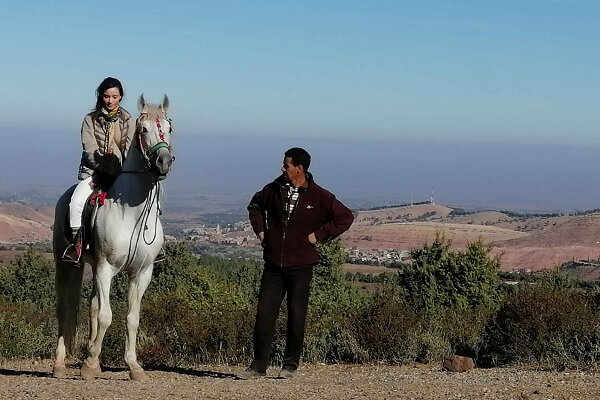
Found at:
<point>202,309</point>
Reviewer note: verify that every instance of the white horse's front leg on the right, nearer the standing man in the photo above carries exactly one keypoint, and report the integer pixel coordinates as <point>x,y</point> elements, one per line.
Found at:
<point>137,286</point>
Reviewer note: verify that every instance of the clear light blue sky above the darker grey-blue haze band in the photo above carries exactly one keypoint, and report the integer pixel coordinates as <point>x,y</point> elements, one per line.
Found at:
<point>499,71</point>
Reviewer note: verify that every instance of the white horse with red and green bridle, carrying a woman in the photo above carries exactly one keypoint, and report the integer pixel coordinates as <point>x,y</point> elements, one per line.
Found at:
<point>127,235</point>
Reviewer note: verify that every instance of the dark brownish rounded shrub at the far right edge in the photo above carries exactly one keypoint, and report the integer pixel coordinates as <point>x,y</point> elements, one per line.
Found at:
<point>556,327</point>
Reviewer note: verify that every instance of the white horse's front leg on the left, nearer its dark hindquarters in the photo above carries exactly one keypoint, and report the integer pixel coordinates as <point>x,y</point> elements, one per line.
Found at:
<point>101,307</point>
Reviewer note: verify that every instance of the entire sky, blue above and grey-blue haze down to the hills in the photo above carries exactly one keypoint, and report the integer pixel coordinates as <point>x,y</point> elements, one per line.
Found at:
<point>488,104</point>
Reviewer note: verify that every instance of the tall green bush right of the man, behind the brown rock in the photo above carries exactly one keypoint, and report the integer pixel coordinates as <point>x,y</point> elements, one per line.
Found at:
<point>452,296</point>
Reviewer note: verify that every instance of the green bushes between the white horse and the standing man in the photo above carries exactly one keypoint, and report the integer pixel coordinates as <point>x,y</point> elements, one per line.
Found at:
<point>196,313</point>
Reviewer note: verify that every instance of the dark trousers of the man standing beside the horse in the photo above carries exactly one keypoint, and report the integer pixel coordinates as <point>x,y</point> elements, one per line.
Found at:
<point>275,283</point>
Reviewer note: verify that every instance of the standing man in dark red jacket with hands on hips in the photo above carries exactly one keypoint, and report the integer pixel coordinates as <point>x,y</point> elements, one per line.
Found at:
<point>290,216</point>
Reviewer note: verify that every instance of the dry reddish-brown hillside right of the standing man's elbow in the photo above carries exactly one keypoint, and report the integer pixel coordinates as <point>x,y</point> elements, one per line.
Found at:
<point>535,243</point>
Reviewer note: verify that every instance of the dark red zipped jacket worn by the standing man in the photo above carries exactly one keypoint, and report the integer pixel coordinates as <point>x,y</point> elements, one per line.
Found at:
<point>317,211</point>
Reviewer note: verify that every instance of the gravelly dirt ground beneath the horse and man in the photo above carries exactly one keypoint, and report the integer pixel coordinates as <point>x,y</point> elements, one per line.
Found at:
<point>32,380</point>
